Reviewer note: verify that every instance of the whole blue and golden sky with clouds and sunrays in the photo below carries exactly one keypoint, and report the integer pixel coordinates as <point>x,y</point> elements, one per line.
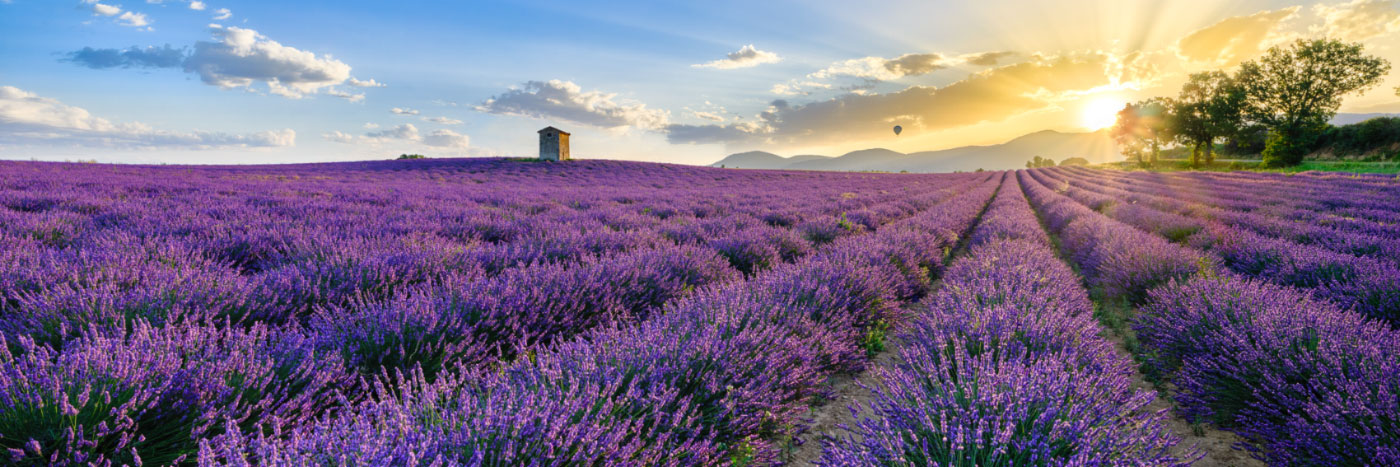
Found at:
<point>216,82</point>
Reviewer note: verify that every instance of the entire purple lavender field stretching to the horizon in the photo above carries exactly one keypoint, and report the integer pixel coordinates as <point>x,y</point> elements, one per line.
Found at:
<point>496,312</point>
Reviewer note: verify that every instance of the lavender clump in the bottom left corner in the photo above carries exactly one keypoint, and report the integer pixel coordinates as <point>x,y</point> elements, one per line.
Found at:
<point>149,395</point>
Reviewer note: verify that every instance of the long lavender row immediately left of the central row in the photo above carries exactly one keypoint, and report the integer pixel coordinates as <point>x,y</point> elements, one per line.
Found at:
<point>719,378</point>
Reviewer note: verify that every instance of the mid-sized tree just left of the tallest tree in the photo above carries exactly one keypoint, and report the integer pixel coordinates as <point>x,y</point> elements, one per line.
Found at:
<point>1212,106</point>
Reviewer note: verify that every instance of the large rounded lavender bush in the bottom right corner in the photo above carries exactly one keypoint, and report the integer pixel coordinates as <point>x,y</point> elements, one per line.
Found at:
<point>1311,384</point>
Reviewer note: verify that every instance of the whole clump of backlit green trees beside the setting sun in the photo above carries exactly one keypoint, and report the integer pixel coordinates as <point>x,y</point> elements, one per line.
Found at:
<point>1280,103</point>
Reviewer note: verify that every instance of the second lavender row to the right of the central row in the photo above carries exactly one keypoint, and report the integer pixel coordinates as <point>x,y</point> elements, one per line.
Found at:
<point>1367,285</point>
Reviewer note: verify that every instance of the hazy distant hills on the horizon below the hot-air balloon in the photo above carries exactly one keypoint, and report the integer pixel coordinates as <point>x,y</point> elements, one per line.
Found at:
<point>1097,148</point>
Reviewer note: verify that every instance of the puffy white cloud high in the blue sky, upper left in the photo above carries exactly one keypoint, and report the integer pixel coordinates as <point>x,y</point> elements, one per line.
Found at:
<point>244,57</point>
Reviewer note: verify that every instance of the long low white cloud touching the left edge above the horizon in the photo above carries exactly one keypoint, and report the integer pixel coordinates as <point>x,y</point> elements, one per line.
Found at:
<point>31,120</point>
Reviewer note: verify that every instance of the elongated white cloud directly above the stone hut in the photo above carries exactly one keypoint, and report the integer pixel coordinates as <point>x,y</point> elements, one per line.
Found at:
<point>568,101</point>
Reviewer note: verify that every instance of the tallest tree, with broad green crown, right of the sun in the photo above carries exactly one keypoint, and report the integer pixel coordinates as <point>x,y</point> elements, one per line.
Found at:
<point>1296,90</point>
